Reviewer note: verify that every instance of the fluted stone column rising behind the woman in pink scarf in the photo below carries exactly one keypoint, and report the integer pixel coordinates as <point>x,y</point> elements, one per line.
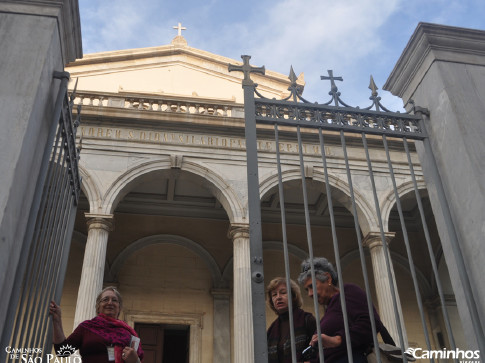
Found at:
<point>92,274</point>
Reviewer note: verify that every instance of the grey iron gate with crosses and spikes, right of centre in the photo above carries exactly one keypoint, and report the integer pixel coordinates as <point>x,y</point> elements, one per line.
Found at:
<point>299,117</point>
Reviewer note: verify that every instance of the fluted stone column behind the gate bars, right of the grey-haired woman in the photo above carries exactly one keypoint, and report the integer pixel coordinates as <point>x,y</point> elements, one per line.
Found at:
<point>383,284</point>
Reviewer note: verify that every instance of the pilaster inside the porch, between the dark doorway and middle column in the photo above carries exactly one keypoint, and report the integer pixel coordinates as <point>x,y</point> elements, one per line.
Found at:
<point>222,325</point>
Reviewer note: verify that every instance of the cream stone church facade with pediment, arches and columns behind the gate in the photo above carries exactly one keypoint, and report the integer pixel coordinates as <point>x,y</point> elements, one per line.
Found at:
<point>164,211</point>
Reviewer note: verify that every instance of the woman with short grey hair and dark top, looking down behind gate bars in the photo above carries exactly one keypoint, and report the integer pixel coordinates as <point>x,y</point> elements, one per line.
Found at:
<point>332,323</point>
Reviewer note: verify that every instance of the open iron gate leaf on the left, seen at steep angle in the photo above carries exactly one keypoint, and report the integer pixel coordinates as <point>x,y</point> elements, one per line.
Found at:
<point>40,275</point>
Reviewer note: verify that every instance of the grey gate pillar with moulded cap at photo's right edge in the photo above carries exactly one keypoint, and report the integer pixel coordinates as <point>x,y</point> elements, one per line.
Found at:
<point>442,69</point>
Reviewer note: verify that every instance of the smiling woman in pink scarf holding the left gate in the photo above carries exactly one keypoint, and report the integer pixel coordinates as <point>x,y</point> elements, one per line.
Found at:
<point>102,339</point>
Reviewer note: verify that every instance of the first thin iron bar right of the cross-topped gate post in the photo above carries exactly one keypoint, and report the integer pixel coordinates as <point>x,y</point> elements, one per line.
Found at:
<point>285,249</point>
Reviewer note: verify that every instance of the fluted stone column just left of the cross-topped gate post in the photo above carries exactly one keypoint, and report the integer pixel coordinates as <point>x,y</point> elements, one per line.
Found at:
<point>243,315</point>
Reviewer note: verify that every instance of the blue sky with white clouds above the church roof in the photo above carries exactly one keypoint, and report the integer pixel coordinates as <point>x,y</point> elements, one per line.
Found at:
<point>354,38</point>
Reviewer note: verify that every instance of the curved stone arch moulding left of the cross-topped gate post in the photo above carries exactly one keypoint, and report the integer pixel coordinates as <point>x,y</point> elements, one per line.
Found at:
<point>215,183</point>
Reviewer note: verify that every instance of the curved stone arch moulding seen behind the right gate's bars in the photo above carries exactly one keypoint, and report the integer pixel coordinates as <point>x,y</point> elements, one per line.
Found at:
<point>366,214</point>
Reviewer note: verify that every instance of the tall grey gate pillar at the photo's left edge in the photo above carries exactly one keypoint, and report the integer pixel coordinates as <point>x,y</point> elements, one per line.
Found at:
<point>37,39</point>
